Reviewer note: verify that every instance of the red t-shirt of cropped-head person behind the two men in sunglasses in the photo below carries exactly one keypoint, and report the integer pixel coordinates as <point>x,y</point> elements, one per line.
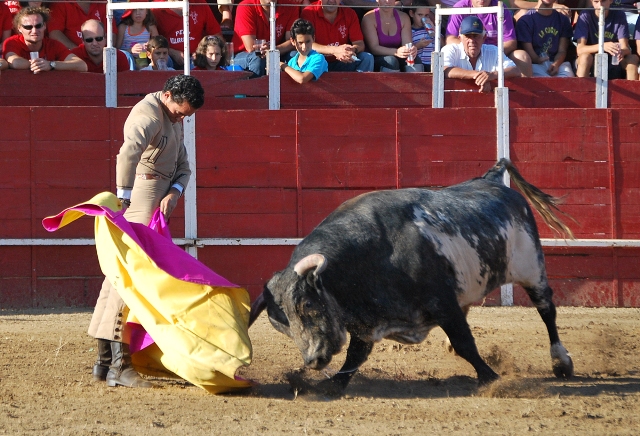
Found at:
<point>68,18</point>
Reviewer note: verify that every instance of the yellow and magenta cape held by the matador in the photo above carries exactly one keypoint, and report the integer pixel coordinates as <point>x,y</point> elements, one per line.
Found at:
<point>198,320</point>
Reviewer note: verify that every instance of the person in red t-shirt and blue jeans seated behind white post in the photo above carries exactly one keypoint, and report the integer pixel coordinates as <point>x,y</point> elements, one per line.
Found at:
<point>252,22</point>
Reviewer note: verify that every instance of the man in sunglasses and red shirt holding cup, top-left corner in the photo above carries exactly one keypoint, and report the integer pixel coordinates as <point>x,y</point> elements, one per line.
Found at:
<point>31,25</point>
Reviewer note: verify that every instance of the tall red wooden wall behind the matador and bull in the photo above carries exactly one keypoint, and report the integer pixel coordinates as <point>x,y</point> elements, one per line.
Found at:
<point>278,173</point>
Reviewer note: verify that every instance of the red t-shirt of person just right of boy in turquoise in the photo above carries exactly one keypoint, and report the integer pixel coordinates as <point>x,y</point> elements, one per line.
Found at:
<point>345,29</point>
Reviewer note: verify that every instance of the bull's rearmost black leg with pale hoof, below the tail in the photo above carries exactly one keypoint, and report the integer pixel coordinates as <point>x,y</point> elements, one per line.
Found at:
<point>561,361</point>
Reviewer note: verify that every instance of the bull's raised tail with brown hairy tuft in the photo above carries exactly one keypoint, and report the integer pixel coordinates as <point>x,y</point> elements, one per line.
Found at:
<point>545,204</point>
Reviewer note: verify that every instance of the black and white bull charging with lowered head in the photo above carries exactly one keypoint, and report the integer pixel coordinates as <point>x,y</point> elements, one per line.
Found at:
<point>394,264</point>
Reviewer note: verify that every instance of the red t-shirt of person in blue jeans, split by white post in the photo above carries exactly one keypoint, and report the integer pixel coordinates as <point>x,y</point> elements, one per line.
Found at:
<point>253,20</point>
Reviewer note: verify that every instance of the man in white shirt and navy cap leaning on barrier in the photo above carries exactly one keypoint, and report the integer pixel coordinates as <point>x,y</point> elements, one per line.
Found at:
<point>471,59</point>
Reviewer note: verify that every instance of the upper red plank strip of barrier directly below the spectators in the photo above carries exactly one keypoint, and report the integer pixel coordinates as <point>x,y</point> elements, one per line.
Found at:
<point>233,90</point>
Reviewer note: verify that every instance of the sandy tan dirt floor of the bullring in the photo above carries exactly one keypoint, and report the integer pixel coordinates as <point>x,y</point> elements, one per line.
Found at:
<point>46,386</point>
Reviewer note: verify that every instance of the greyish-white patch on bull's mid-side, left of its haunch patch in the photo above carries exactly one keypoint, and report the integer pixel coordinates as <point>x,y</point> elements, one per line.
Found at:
<point>461,255</point>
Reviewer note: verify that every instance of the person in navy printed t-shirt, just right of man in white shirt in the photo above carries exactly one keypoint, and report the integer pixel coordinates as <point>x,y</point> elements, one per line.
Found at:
<point>545,35</point>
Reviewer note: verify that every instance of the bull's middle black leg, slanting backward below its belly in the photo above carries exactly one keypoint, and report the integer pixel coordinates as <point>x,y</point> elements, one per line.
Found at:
<point>454,323</point>
